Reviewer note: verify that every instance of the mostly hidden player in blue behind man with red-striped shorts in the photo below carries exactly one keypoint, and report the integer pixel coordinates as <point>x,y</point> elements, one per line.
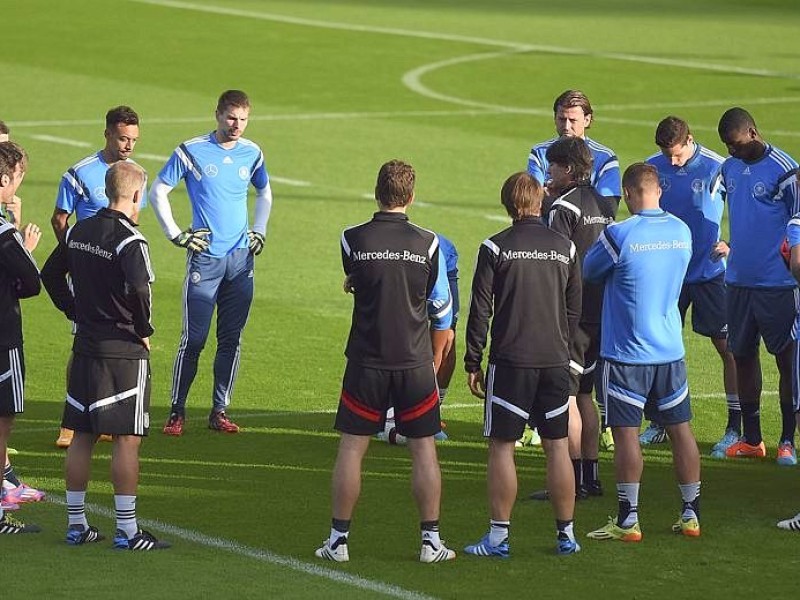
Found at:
<point>448,262</point>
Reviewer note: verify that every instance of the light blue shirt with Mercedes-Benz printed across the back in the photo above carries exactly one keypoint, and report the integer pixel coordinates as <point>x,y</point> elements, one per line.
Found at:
<point>642,262</point>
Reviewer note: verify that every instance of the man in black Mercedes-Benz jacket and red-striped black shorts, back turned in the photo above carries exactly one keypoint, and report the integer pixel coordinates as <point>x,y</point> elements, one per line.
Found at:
<point>393,267</point>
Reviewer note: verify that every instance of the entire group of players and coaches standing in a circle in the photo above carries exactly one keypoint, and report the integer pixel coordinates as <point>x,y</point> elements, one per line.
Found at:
<point>575,301</point>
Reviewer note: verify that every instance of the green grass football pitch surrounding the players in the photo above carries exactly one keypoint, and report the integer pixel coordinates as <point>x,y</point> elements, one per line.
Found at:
<point>461,90</point>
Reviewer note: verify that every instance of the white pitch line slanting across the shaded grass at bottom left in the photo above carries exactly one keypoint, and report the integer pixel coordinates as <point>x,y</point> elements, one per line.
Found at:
<point>262,555</point>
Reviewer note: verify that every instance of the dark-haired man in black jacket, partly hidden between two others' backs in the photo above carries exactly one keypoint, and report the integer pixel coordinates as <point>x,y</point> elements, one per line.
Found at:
<point>580,213</point>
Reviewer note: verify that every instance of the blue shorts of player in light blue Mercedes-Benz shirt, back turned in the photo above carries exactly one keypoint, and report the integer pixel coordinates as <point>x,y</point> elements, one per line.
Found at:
<point>660,392</point>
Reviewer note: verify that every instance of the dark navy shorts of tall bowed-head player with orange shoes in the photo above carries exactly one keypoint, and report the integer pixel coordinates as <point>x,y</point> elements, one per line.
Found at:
<point>754,313</point>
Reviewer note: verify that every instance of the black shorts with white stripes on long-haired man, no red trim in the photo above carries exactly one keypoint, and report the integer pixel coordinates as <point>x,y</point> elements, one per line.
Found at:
<point>514,397</point>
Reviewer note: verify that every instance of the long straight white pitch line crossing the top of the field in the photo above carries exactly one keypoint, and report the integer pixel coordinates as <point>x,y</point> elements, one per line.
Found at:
<point>466,39</point>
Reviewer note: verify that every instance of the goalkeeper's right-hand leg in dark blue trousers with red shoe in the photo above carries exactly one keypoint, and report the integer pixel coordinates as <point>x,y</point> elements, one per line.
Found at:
<point>233,307</point>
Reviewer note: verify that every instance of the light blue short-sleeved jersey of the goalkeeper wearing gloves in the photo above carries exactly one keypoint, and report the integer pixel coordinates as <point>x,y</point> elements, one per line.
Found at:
<point>217,180</point>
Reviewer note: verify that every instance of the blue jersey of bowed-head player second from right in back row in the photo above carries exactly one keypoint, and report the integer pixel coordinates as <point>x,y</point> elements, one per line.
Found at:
<point>689,194</point>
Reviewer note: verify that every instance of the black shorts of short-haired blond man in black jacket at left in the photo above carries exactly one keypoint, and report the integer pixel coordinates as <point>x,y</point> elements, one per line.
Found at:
<point>108,395</point>
